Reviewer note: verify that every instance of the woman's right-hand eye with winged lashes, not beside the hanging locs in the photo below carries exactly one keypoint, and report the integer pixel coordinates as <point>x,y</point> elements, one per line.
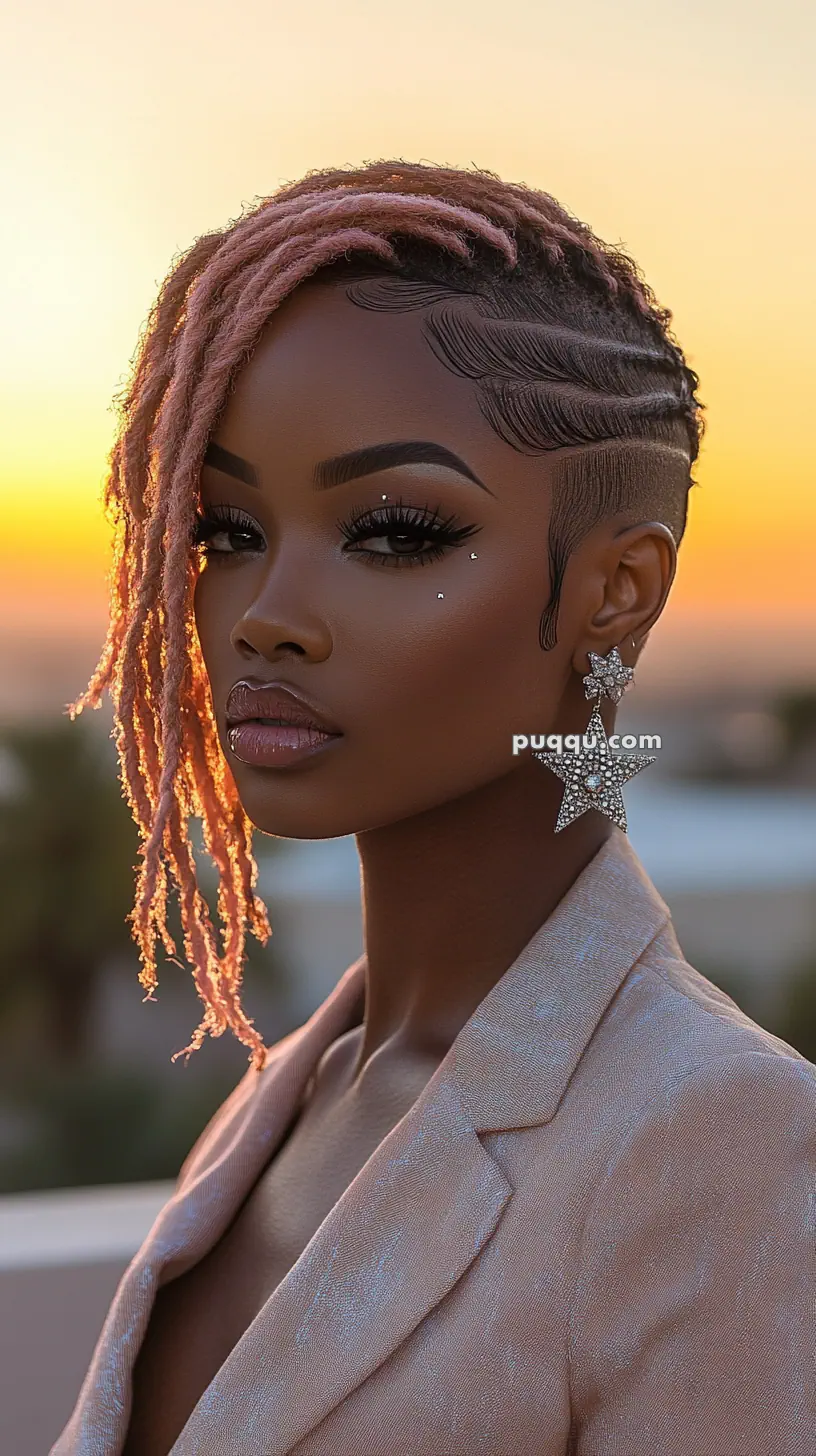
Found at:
<point>397,535</point>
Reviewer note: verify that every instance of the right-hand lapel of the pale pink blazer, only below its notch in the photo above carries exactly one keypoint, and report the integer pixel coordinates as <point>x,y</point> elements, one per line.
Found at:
<point>406,1230</point>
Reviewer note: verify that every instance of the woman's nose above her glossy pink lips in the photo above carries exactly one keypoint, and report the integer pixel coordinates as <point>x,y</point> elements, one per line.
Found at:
<point>280,622</point>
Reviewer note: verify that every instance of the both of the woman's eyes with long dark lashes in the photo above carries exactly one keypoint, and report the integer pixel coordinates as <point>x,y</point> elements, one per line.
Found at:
<point>404,535</point>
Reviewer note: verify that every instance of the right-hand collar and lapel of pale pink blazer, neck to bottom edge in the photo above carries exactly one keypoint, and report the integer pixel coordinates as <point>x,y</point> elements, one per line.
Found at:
<point>432,1196</point>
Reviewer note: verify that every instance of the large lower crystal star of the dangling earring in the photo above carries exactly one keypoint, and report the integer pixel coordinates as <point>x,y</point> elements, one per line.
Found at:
<point>595,777</point>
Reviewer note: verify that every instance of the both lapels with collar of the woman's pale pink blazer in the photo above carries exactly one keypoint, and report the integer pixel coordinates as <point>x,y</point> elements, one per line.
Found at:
<point>415,1218</point>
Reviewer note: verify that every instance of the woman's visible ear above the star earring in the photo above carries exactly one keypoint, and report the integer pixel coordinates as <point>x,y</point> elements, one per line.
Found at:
<point>633,571</point>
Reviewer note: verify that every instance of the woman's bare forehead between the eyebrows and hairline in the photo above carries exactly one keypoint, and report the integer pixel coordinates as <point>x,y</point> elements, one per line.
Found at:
<point>329,376</point>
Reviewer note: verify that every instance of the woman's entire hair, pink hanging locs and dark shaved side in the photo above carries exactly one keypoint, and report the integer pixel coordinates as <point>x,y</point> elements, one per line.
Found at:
<point>570,355</point>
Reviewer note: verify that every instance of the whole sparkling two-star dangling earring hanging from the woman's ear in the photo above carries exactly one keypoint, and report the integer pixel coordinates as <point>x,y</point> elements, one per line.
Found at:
<point>594,777</point>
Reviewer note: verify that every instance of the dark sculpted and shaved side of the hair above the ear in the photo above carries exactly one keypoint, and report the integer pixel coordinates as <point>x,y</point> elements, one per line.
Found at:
<point>568,363</point>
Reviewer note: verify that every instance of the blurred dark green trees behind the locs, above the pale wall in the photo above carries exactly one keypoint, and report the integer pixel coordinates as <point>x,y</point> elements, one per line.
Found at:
<point>69,863</point>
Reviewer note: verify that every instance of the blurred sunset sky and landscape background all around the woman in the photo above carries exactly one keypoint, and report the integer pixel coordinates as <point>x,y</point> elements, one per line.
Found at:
<point>684,133</point>
